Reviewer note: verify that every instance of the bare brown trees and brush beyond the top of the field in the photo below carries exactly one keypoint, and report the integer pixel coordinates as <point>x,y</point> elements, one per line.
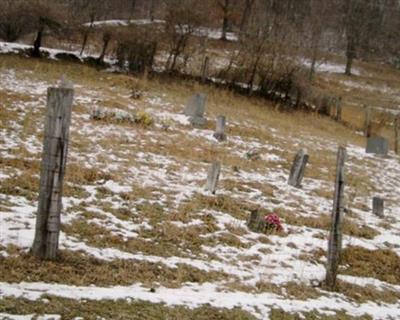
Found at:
<point>270,35</point>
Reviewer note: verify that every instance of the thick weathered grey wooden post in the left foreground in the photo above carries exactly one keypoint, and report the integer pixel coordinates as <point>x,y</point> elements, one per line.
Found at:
<point>54,157</point>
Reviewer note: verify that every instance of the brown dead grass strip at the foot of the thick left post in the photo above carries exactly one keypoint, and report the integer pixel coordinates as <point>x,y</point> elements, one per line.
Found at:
<point>73,268</point>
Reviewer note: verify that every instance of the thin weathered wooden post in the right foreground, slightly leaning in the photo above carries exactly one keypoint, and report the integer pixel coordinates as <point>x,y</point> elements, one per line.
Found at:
<point>335,235</point>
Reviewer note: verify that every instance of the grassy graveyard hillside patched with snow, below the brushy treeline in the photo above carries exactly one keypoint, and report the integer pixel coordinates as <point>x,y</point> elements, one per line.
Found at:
<point>141,237</point>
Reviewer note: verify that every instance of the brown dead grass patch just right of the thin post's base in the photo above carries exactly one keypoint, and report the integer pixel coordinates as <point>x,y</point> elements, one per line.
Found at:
<point>381,264</point>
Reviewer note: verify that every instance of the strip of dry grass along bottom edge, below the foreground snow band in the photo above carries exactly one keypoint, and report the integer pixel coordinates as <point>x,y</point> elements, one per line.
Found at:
<point>116,309</point>
